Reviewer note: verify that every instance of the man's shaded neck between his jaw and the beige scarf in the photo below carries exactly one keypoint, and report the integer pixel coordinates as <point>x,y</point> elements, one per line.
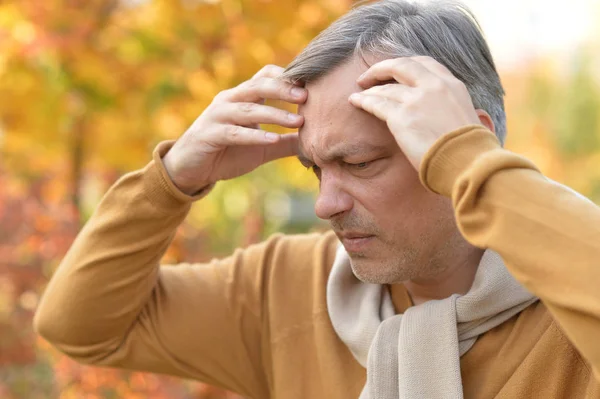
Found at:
<point>456,277</point>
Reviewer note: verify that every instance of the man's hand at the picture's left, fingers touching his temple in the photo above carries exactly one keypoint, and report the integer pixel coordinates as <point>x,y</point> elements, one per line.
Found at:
<point>225,141</point>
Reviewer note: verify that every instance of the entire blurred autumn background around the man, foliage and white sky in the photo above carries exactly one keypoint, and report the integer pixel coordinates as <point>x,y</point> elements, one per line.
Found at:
<point>88,88</point>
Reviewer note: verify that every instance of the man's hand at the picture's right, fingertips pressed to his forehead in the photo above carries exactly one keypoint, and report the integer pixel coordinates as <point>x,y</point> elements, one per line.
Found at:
<point>424,102</point>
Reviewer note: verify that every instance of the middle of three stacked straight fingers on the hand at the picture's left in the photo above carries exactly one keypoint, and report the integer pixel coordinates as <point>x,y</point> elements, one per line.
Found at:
<point>247,114</point>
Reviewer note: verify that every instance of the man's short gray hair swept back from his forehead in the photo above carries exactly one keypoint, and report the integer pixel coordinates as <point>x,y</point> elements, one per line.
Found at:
<point>444,30</point>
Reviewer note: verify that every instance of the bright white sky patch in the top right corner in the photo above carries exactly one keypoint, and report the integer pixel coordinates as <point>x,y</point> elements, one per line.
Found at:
<point>518,30</point>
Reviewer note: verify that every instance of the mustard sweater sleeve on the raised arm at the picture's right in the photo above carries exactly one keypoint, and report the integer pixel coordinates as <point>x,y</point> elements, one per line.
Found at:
<point>547,234</point>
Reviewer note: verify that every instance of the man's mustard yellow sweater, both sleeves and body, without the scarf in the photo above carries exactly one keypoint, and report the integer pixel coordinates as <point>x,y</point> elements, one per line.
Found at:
<point>257,322</point>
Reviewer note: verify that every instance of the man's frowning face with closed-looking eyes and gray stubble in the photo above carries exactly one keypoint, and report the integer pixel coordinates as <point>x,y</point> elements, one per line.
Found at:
<point>391,226</point>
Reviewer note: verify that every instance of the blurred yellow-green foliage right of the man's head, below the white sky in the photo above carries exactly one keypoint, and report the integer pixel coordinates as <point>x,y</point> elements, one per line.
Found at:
<point>554,118</point>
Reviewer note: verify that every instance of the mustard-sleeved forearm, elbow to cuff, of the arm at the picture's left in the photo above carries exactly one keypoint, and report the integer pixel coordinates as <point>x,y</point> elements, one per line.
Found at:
<point>111,269</point>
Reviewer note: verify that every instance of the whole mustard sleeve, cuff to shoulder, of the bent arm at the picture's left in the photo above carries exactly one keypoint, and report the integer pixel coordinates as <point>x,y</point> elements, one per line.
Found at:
<point>110,303</point>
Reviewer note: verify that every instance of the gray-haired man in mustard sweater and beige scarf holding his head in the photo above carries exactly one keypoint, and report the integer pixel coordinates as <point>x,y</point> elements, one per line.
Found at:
<point>448,240</point>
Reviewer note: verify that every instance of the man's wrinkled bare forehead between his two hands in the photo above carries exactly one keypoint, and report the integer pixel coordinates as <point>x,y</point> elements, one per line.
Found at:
<point>330,121</point>
